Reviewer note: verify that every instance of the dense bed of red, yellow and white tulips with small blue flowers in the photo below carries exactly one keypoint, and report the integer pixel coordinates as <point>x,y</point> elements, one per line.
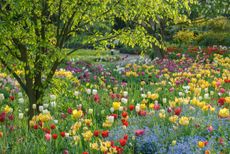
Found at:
<point>161,106</point>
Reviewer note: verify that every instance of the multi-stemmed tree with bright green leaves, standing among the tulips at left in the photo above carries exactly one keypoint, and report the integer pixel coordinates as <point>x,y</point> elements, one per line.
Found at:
<point>35,33</point>
